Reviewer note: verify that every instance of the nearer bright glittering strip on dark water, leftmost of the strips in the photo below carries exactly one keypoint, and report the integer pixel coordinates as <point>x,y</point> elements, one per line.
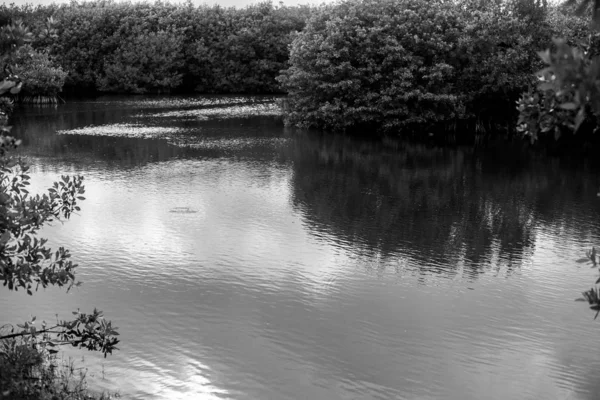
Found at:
<point>124,130</point>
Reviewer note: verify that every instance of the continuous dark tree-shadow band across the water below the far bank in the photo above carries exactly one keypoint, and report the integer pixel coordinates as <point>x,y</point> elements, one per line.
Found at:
<point>449,209</point>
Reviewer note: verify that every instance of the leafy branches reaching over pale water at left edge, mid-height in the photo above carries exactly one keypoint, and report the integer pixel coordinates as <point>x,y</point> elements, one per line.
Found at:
<point>25,260</point>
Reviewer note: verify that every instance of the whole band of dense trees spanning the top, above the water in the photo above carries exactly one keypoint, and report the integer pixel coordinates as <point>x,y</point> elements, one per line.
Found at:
<point>418,67</point>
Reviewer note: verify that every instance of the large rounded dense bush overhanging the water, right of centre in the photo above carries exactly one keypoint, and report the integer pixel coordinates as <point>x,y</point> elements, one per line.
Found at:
<point>416,64</point>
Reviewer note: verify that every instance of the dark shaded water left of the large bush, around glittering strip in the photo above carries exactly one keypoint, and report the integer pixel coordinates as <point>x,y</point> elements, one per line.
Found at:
<point>235,137</point>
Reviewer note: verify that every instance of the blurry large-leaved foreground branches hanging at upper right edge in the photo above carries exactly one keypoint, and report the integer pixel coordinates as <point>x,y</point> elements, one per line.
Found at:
<point>565,100</point>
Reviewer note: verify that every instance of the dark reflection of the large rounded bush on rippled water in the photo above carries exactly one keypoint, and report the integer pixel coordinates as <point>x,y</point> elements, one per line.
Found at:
<point>441,207</point>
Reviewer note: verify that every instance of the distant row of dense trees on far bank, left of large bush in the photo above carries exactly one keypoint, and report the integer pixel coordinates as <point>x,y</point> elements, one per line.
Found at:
<point>160,47</point>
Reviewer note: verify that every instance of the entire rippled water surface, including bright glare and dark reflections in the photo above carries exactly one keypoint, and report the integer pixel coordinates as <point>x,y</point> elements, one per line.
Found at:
<point>243,260</point>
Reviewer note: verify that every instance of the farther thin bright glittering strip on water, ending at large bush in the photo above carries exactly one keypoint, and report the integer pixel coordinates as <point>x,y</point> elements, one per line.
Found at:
<point>239,111</point>
